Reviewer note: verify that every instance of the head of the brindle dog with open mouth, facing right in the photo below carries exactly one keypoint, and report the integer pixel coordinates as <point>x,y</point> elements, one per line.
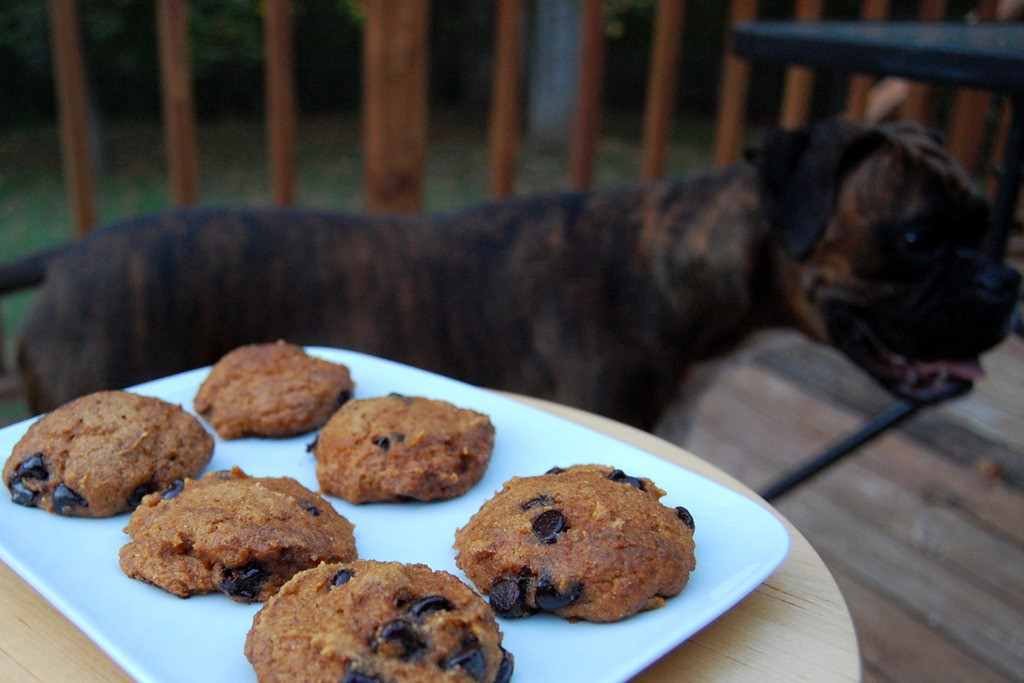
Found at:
<point>880,235</point>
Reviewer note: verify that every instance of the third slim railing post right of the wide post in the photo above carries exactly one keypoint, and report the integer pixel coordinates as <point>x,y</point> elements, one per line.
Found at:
<point>662,86</point>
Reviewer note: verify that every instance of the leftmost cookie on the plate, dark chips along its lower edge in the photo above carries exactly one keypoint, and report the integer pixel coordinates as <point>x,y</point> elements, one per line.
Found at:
<point>99,455</point>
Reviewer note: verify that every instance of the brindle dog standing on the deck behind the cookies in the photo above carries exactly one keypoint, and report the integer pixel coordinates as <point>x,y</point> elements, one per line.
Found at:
<point>867,238</point>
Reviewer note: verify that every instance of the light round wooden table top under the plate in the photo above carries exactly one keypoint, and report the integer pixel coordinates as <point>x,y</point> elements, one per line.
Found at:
<point>795,627</point>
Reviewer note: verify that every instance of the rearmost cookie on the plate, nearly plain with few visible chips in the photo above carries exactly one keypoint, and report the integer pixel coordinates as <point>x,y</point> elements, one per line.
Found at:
<point>273,391</point>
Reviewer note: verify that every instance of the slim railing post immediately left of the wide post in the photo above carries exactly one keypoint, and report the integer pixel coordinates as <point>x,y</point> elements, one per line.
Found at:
<point>281,119</point>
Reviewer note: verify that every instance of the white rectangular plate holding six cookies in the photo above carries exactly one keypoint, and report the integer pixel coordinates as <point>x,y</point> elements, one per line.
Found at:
<point>158,637</point>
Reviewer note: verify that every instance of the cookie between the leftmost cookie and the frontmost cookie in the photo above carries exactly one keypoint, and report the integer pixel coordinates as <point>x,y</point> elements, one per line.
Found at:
<point>241,536</point>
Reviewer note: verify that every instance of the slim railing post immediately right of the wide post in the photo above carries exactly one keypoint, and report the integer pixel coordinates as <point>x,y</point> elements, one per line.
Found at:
<point>506,97</point>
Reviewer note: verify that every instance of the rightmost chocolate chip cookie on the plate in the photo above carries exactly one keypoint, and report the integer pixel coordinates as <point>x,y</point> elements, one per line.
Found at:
<point>585,543</point>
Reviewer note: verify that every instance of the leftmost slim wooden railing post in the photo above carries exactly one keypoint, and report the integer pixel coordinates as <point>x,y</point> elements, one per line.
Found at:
<point>73,110</point>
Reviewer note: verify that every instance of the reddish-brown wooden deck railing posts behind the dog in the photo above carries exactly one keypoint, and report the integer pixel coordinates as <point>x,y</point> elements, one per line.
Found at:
<point>396,73</point>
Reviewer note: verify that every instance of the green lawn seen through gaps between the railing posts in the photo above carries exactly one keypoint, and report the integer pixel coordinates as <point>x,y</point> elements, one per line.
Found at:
<point>35,212</point>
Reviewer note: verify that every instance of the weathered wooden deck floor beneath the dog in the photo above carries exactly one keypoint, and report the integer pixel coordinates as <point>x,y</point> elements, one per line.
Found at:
<point>922,528</point>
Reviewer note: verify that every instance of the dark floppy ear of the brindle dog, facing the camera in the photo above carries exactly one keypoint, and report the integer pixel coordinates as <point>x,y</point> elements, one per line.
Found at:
<point>801,173</point>
